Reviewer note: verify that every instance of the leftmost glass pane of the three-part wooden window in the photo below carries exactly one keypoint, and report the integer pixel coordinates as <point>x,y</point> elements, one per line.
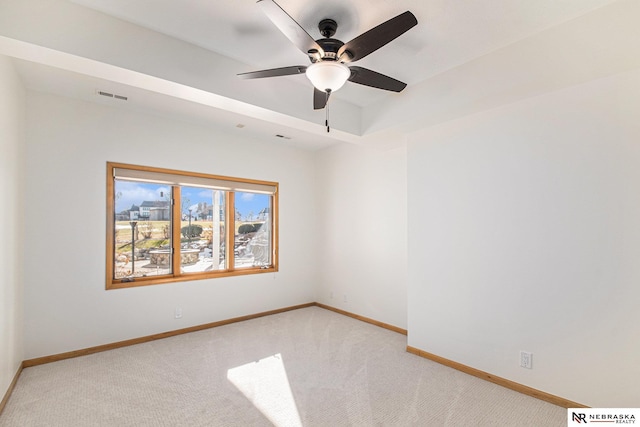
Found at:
<point>142,234</point>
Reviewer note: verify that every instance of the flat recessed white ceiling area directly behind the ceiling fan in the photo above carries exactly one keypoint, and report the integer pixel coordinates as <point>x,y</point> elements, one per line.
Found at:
<point>449,33</point>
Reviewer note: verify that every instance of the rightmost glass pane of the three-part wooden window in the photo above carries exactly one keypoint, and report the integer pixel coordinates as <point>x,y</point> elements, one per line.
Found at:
<point>253,230</point>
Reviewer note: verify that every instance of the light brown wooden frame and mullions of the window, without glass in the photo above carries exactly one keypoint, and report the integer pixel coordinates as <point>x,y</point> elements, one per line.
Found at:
<point>176,275</point>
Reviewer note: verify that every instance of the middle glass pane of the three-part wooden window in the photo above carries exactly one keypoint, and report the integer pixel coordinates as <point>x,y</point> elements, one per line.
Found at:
<point>202,230</point>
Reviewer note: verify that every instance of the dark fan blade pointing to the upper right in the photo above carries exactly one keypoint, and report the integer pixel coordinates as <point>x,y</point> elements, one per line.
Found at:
<point>377,37</point>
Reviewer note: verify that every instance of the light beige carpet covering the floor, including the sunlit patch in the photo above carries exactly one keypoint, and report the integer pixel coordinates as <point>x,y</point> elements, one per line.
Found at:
<point>308,367</point>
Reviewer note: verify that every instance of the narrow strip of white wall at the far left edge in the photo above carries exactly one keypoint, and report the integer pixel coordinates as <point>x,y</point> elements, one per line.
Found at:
<point>11,224</point>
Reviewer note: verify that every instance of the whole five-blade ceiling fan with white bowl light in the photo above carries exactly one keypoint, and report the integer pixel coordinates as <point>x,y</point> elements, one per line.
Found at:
<point>328,70</point>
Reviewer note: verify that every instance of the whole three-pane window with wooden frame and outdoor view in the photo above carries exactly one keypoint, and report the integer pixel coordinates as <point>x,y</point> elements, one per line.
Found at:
<point>165,226</point>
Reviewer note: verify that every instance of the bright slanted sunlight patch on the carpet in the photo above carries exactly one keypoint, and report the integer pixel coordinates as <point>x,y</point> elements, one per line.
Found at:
<point>266,385</point>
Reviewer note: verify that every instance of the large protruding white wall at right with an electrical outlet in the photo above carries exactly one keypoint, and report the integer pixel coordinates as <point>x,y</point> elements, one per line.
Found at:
<point>525,235</point>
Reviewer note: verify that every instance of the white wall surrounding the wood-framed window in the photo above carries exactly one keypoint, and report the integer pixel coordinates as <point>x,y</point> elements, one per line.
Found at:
<point>68,145</point>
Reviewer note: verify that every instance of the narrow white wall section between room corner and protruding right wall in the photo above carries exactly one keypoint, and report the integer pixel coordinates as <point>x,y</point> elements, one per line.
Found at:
<point>362,203</point>
